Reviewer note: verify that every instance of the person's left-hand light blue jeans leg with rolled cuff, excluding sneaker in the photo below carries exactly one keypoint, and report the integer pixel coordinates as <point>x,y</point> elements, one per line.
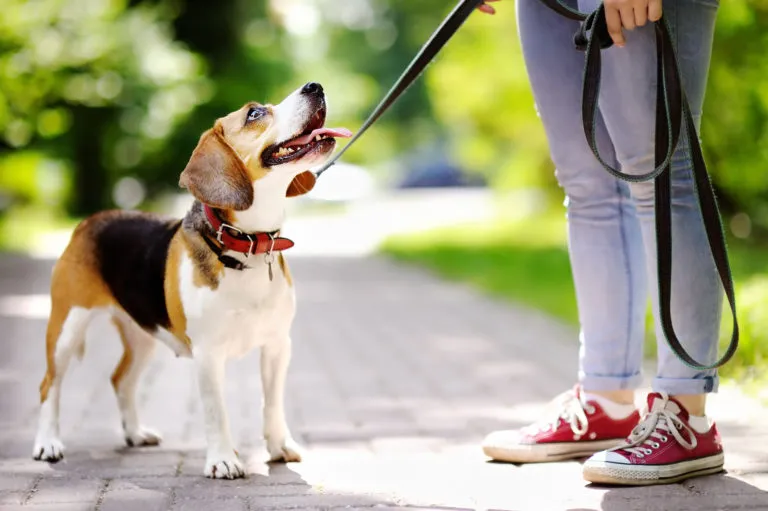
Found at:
<point>604,239</point>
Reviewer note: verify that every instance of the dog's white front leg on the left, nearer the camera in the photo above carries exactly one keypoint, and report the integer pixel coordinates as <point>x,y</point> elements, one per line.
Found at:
<point>221,460</point>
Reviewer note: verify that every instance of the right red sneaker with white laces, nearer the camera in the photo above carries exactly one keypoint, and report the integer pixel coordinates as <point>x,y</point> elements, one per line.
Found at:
<point>662,449</point>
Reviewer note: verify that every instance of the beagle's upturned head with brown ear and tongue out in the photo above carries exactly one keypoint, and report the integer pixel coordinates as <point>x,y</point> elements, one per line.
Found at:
<point>256,140</point>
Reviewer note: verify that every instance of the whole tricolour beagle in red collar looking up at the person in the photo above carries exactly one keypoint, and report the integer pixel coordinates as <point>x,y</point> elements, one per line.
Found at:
<point>211,286</point>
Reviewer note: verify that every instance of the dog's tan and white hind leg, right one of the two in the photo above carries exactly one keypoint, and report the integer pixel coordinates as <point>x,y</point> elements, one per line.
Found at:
<point>138,347</point>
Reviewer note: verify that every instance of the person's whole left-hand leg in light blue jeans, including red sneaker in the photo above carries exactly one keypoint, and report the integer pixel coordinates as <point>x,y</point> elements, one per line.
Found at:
<point>606,253</point>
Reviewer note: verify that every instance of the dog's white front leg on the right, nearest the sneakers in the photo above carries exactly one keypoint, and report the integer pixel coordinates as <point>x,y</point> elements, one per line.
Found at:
<point>275,358</point>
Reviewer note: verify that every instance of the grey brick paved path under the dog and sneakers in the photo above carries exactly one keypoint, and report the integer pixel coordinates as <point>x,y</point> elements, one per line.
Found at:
<point>396,378</point>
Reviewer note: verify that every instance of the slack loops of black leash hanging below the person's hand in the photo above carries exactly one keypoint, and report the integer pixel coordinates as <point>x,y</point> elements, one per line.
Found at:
<point>673,113</point>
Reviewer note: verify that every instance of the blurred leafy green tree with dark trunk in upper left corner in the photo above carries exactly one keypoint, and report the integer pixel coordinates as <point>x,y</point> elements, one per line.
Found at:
<point>95,82</point>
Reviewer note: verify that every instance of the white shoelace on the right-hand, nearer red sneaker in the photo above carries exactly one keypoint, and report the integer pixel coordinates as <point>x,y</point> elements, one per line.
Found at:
<point>656,426</point>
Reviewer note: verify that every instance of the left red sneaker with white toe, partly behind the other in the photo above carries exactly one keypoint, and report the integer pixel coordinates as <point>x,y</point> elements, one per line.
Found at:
<point>579,429</point>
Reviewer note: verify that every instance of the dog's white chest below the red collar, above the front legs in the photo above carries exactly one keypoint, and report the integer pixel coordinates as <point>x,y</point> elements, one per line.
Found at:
<point>245,311</point>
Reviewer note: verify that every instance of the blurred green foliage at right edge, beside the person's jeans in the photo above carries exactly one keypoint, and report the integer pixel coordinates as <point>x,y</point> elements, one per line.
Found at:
<point>735,120</point>
